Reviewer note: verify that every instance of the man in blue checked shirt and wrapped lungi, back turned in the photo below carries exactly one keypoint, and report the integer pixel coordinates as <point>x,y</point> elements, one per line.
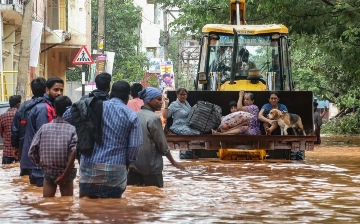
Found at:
<point>104,172</point>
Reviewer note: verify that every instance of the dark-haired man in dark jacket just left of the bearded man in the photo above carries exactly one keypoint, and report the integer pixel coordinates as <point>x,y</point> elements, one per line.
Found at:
<point>18,127</point>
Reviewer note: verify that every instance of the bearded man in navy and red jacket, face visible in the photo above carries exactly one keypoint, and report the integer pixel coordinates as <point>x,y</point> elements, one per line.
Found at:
<point>41,113</point>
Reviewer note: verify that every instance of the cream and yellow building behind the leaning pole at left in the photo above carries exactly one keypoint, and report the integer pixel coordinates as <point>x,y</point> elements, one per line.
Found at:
<point>67,27</point>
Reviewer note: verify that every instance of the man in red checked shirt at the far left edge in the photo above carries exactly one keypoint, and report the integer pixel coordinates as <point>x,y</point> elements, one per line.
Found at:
<point>5,129</point>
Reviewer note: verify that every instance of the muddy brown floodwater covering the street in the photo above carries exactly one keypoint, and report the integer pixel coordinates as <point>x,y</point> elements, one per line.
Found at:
<point>325,188</point>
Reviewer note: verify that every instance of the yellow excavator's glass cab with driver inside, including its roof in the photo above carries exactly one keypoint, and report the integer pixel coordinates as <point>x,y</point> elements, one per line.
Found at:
<point>246,57</point>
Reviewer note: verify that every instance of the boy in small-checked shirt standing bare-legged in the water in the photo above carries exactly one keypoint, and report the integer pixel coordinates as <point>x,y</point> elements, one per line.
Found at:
<point>53,147</point>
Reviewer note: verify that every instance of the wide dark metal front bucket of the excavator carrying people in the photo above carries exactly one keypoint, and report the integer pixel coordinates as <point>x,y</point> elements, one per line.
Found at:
<point>254,146</point>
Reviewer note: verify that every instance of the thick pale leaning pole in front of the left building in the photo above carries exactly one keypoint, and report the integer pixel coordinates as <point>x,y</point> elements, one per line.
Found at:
<point>24,58</point>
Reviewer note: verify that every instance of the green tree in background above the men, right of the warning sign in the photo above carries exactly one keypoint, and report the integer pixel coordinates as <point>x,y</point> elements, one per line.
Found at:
<point>122,20</point>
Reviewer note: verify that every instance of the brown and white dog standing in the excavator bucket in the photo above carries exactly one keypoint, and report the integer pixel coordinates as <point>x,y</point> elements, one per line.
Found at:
<point>286,120</point>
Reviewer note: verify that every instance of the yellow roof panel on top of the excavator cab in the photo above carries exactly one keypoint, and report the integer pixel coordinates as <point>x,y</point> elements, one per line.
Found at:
<point>245,29</point>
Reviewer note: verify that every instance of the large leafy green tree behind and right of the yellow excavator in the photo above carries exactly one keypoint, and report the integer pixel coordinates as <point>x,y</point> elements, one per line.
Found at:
<point>325,37</point>
